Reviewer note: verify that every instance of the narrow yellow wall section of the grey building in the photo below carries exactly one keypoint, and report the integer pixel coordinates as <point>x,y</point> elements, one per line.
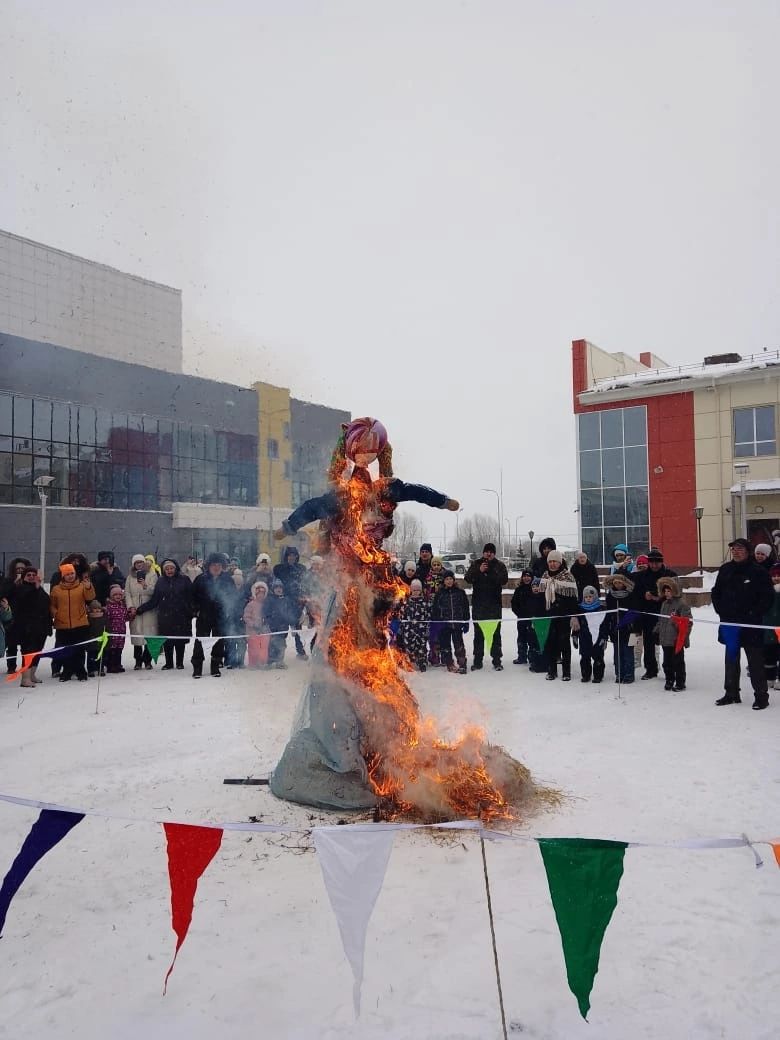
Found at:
<point>274,421</point>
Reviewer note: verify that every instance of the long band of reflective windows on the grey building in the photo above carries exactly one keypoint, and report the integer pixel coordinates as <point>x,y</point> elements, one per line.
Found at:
<point>108,460</point>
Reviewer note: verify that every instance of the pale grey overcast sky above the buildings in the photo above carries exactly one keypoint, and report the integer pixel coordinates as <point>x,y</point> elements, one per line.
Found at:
<point>410,210</point>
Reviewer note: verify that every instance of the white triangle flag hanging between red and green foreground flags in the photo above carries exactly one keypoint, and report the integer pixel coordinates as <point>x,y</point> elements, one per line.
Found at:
<point>354,865</point>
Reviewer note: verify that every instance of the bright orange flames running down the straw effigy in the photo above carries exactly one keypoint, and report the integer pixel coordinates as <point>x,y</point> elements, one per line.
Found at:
<point>410,767</point>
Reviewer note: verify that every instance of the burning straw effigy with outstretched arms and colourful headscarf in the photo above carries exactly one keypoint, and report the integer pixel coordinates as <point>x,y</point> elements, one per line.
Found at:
<point>359,740</point>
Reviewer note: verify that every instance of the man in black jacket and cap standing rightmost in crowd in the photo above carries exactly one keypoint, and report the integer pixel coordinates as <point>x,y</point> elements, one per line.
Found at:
<point>744,593</point>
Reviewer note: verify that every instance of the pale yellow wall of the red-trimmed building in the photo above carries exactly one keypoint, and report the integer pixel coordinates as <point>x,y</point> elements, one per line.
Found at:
<point>715,461</point>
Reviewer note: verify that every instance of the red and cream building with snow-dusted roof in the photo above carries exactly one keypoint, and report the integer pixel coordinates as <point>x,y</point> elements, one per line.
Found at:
<point>657,443</point>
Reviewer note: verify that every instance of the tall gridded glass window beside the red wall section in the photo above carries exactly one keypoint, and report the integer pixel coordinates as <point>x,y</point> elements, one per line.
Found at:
<point>614,503</point>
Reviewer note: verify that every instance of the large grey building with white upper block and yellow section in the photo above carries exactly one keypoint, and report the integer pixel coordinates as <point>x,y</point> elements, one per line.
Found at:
<point>143,456</point>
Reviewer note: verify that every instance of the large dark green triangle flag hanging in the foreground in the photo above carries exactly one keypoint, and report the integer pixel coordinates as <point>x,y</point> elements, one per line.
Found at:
<point>584,875</point>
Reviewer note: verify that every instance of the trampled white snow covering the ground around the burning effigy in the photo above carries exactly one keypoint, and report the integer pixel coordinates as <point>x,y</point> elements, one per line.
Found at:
<point>691,952</point>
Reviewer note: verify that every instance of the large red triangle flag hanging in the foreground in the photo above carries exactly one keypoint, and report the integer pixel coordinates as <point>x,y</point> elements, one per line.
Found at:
<point>190,852</point>
